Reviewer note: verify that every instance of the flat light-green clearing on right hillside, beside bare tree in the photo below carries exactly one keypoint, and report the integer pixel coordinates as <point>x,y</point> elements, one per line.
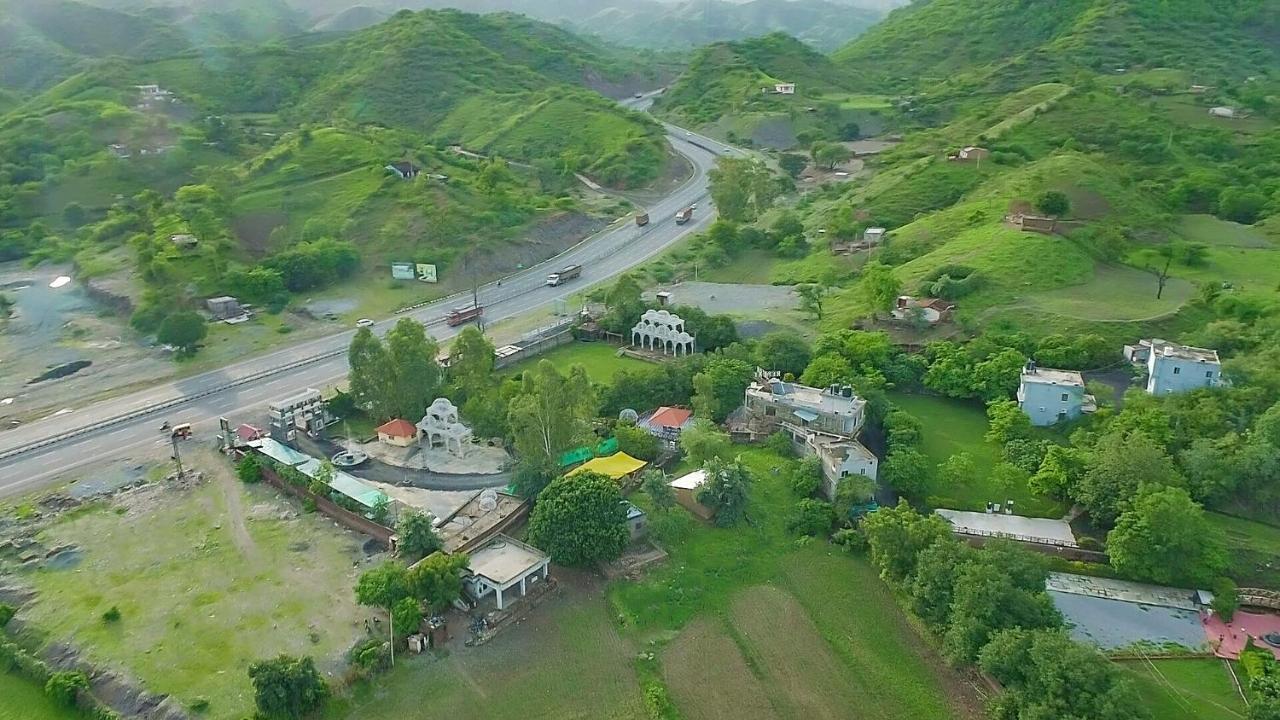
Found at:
<point>1116,294</point>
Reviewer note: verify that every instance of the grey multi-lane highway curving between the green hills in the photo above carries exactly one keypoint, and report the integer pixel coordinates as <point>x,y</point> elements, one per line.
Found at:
<point>35,455</point>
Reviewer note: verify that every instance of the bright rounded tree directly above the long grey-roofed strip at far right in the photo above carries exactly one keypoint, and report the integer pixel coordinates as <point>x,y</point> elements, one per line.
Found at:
<point>1167,539</point>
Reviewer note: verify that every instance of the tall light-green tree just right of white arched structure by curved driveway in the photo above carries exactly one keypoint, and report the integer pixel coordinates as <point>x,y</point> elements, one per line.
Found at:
<point>552,412</point>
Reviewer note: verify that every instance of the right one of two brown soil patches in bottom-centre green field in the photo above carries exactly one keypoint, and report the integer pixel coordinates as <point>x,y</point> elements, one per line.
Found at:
<point>810,681</point>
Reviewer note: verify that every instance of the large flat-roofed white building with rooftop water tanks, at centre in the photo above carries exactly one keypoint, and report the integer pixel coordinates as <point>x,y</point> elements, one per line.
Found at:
<point>820,422</point>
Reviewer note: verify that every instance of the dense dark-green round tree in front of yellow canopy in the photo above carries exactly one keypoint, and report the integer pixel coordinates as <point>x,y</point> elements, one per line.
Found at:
<point>580,521</point>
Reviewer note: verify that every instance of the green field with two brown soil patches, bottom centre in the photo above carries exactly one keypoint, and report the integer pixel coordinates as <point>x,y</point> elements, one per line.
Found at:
<point>776,630</point>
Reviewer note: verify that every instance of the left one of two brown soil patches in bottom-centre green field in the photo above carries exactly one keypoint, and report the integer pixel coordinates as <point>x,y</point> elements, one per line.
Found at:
<point>710,680</point>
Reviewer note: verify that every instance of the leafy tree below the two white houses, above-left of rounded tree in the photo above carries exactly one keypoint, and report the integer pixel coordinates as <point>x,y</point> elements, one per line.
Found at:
<point>1118,467</point>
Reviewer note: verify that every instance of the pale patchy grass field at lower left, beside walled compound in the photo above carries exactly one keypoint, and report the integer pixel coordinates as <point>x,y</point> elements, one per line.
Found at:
<point>207,582</point>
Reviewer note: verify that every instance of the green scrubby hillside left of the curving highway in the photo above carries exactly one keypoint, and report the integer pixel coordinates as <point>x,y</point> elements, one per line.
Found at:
<point>275,157</point>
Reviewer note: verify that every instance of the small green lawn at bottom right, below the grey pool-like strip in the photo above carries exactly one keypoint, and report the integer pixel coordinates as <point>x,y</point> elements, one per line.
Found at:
<point>1187,690</point>
